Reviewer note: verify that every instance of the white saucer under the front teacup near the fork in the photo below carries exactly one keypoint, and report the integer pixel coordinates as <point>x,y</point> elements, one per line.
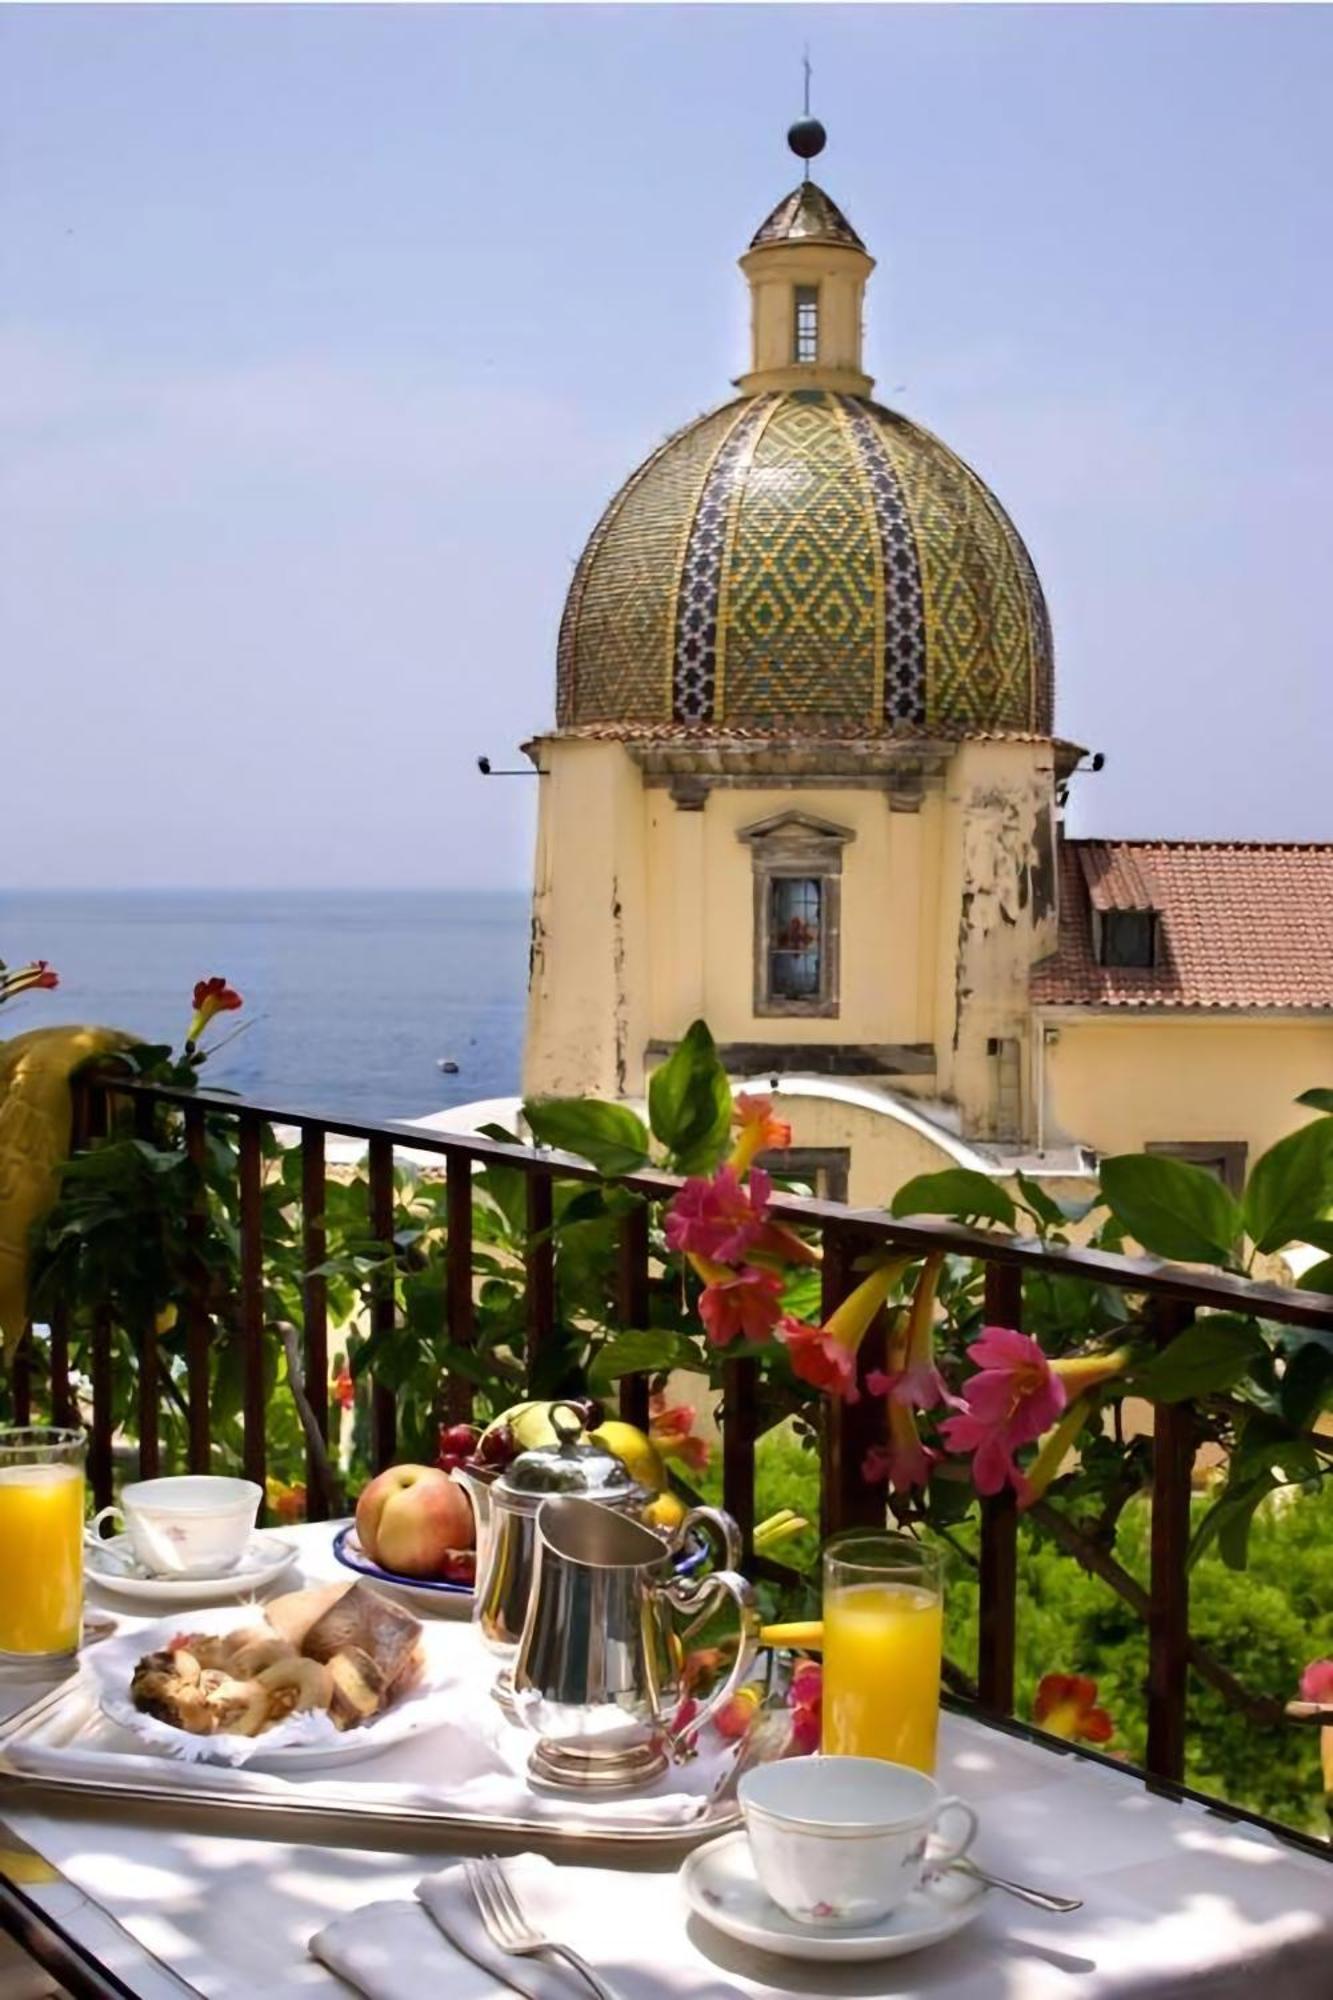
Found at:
<point>720,1883</point>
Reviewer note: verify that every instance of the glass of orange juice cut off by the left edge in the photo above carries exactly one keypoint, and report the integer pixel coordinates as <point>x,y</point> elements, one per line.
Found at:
<point>41,1543</point>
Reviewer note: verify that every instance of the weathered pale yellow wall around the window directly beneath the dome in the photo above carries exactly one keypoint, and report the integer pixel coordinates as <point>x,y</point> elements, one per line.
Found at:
<point>645,917</point>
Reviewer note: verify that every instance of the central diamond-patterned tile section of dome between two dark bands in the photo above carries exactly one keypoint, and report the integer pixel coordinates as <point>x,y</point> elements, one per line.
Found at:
<point>800,609</point>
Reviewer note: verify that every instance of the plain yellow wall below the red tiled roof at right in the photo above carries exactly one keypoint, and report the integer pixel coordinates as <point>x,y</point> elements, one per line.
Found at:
<point>1116,1085</point>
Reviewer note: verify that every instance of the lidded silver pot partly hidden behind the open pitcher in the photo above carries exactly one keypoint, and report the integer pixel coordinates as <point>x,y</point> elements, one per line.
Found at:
<point>507,1521</point>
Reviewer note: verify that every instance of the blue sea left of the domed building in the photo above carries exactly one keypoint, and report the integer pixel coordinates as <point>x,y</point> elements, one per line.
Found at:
<point>351,997</point>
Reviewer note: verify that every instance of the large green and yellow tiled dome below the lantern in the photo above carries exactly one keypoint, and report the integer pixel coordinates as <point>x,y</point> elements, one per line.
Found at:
<point>806,563</point>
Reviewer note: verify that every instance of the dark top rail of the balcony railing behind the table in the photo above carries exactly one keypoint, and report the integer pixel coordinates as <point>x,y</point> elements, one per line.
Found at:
<point>1194,1285</point>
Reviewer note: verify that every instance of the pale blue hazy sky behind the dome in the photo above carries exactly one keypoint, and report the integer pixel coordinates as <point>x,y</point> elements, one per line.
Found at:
<point>327,333</point>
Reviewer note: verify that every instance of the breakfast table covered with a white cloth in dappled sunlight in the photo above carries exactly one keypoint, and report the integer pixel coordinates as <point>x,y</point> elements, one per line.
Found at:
<point>1178,1901</point>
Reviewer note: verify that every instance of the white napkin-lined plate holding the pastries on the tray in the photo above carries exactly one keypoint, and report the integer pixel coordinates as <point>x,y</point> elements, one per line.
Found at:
<point>303,1743</point>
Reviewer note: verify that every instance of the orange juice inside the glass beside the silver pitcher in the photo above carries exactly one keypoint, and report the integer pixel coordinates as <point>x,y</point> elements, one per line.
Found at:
<point>882,1673</point>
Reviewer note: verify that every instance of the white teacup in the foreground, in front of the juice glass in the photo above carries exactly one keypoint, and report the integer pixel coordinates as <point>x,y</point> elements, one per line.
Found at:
<point>844,1839</point>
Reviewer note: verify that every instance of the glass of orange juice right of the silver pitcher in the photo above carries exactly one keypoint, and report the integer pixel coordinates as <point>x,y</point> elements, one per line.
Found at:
<point>884,1627</point>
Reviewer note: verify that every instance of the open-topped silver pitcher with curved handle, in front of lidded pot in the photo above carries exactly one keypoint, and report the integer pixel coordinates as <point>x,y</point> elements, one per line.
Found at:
<point>597,1675</point>
